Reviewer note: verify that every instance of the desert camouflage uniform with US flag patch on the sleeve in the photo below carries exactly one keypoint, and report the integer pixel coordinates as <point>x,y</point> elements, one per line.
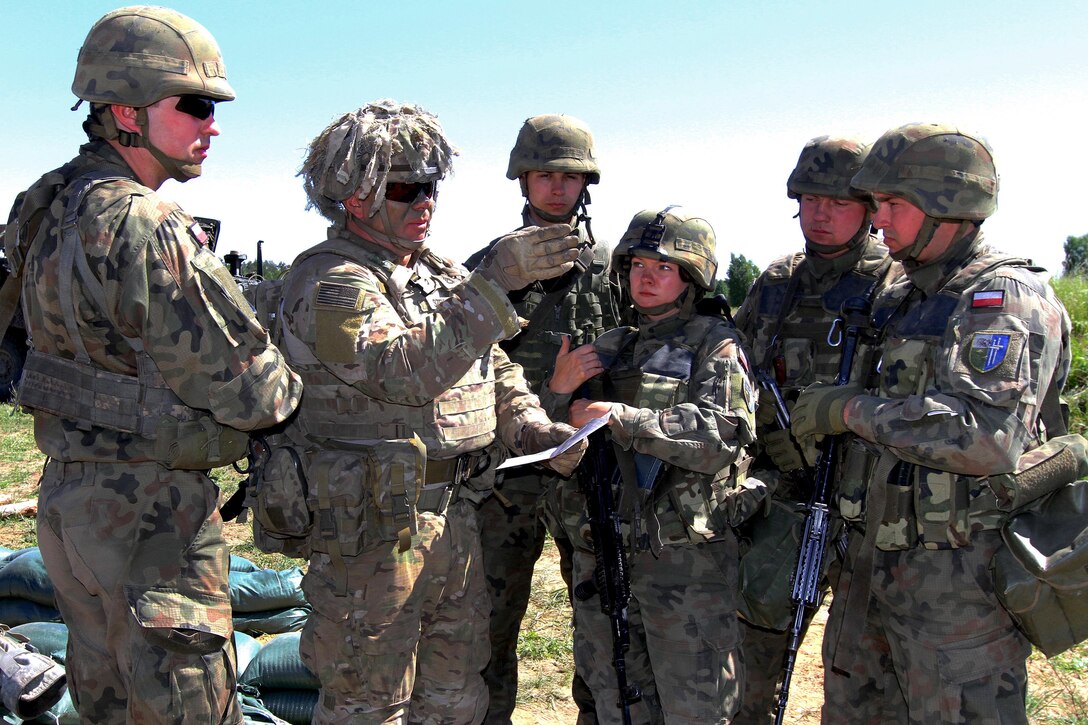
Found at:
<point>400,629</point>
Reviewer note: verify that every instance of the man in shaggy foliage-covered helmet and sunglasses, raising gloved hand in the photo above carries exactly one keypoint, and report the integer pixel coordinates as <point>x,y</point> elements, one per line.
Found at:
<point>409,399</point>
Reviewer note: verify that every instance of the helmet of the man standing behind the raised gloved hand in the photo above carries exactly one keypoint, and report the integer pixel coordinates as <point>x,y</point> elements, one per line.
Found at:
<point>554,143</point>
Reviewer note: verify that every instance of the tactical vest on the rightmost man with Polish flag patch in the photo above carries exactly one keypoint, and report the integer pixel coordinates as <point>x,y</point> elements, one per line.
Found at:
<point>928,507</point>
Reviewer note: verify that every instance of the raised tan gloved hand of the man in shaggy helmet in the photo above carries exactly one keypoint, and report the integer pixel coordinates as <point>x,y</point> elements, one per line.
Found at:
<point>530,254</point>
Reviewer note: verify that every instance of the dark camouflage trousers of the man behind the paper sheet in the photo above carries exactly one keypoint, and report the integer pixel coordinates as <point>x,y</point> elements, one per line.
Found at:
<point>513,523</point>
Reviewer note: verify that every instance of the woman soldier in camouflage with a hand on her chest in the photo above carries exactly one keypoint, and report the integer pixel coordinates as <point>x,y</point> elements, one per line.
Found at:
<point>682,410</point>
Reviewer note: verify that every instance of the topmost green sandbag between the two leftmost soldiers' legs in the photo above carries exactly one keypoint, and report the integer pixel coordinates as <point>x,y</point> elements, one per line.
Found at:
<point>267,601</point>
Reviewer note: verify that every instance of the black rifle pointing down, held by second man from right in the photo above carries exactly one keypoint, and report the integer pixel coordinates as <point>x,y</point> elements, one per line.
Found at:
<point>815,538</point>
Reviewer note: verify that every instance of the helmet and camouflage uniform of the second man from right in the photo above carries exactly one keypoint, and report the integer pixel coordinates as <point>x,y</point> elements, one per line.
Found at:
<point>786,322</point>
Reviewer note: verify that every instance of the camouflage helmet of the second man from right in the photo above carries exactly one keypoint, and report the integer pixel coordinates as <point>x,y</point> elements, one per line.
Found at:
<point>825,168</point>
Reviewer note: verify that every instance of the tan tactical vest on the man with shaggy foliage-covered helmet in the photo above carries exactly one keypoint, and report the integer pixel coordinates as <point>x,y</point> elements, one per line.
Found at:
<point>460,421</point>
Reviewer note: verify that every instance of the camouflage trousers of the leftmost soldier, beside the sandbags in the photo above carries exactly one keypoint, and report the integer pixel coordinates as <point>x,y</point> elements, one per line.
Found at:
<point>139,562</point>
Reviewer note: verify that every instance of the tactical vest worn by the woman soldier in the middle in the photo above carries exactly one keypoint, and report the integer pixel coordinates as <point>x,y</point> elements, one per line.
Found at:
<point>667,505</point>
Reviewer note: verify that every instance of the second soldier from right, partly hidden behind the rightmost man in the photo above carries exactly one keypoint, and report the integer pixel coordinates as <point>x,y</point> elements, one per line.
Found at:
<point>786,321</point>
